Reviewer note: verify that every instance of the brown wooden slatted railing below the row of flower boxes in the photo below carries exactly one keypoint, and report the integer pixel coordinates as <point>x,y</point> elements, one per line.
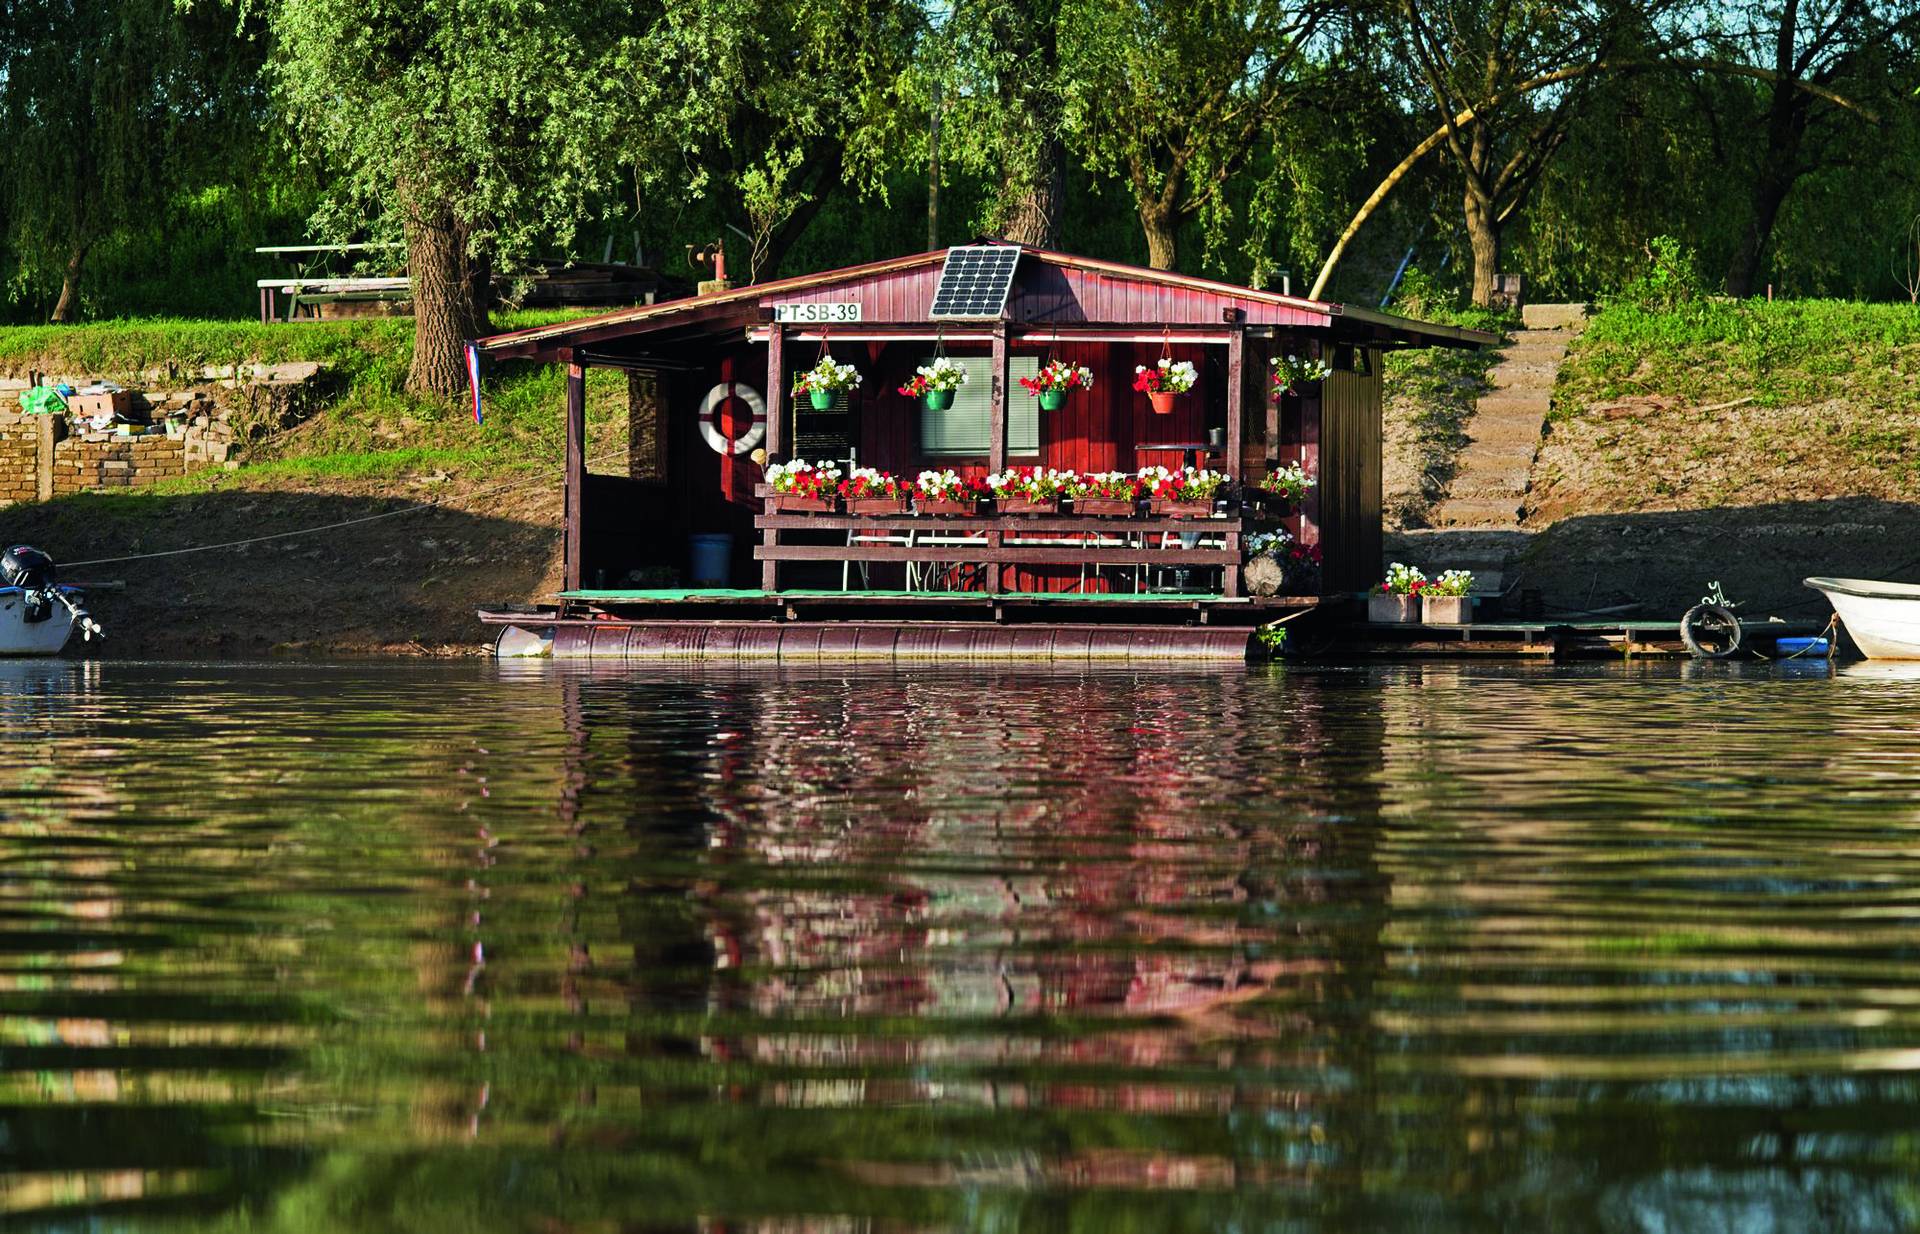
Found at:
<point>997,544</point>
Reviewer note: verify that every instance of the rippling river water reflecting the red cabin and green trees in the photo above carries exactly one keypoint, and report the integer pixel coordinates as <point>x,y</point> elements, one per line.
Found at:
<point>418,947</point>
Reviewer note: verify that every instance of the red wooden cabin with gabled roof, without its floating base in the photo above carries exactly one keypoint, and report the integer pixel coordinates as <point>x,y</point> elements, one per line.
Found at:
<point>709,385</point>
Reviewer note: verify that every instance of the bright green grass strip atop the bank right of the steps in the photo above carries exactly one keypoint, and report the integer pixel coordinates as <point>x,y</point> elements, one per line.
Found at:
<point>1779,354</point>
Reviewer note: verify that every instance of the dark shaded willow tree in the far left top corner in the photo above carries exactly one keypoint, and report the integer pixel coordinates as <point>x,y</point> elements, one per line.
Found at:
<point>108,110</point>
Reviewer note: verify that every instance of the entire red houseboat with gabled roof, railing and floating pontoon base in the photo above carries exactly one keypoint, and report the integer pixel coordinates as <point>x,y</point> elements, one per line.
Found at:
<point>708,389</point>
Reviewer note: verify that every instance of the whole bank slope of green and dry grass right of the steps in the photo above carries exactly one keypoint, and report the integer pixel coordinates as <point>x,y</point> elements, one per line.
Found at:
<point>1721,404</point>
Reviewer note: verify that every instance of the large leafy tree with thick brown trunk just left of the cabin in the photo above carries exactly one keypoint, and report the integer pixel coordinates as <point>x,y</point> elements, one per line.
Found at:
<point>475,128</point>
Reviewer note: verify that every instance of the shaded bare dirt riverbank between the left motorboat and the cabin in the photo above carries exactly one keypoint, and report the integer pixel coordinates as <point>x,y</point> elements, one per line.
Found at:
<point>404,579</point>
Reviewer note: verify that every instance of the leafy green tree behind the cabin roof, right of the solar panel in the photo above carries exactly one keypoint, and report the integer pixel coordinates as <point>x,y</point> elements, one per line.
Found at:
<point>1178,95</point>
